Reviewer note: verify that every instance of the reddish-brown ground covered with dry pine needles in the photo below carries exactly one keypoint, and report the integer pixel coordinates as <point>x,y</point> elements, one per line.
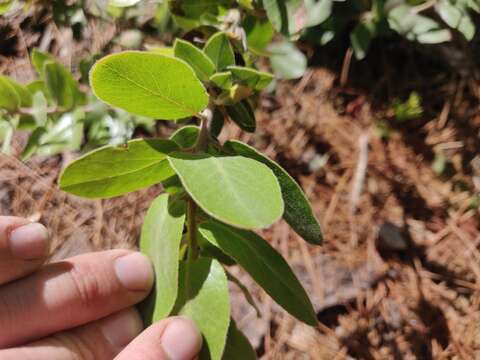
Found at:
<point>398,276</point>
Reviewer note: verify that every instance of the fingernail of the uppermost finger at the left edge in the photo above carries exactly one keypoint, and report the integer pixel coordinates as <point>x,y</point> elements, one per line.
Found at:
<point>29,242</point>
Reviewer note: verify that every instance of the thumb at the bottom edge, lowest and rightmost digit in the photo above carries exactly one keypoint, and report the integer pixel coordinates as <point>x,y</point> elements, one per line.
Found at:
<point>175,338</point>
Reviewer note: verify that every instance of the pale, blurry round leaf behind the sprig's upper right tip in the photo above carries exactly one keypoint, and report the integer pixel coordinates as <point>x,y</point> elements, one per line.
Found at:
<point>287,61</point>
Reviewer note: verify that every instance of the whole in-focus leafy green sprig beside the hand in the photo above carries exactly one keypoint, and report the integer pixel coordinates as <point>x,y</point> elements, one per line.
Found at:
<point>216,195</point>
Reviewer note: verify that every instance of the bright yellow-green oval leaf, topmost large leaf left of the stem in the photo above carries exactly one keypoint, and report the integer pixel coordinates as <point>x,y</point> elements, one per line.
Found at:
<point>149,84</point>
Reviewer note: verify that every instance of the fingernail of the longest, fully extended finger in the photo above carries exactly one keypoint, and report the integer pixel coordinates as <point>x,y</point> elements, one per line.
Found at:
<point>134,271</point>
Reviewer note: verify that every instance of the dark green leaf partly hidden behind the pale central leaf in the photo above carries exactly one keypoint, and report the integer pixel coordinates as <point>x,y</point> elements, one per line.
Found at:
<point>298,213</point>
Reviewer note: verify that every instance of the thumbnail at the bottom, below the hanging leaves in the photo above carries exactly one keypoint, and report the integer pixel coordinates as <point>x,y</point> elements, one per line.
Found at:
<point>181,340</point>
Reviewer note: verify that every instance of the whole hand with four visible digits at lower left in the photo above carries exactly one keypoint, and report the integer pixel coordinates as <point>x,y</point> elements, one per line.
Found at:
<point>81,308</point>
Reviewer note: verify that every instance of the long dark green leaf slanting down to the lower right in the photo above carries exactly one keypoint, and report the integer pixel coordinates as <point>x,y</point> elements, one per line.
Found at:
<point>266,266</point>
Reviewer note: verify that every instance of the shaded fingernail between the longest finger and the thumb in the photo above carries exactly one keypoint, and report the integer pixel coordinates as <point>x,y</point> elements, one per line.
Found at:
<point>120,329</point>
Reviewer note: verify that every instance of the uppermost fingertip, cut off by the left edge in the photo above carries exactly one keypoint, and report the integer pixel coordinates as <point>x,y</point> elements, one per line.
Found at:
<point>23,247</point>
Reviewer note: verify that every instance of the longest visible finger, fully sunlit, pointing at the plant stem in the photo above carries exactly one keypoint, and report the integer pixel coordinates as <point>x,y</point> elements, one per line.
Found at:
<point>70,293</point>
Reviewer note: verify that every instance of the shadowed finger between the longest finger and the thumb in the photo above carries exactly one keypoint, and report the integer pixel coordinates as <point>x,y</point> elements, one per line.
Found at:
<point>99,340</point>
